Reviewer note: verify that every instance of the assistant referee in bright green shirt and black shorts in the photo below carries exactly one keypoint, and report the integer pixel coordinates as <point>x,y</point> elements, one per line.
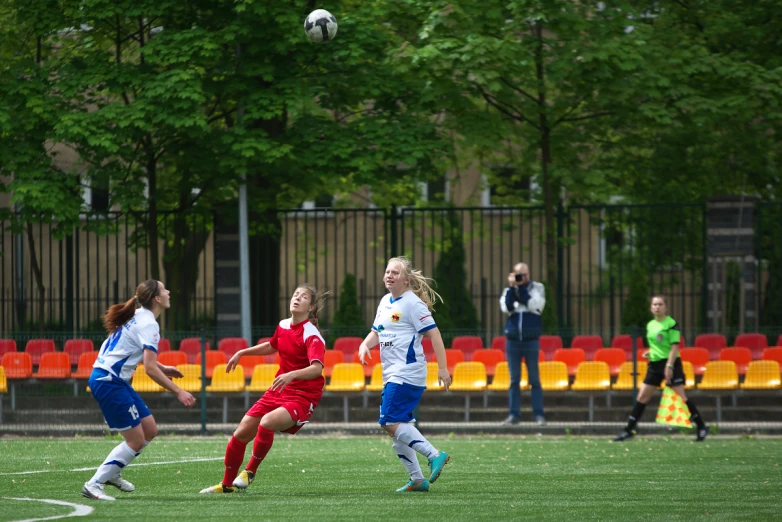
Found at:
<point>663,335</point>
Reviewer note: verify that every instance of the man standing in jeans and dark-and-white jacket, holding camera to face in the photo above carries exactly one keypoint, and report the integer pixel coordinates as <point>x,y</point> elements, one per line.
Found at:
<point>523,301</point>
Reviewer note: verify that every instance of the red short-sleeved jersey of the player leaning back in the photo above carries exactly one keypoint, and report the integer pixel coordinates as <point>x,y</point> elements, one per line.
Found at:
<point>299,345</point>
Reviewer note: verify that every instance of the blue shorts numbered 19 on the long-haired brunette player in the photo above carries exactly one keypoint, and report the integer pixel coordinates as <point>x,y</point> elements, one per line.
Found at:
<point>120,404</point>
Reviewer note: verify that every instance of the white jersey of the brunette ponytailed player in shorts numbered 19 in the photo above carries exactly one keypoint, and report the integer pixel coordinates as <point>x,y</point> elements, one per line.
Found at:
<point>124,349</point>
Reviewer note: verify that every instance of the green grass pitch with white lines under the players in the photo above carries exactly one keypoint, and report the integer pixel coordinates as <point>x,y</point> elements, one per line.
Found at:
<point>350,478</point>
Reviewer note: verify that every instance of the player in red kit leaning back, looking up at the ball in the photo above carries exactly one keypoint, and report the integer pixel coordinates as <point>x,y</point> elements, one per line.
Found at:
<point>290,401</point>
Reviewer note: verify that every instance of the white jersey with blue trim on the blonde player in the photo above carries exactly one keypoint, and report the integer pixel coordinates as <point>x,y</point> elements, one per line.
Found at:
<point>400,324</point>
